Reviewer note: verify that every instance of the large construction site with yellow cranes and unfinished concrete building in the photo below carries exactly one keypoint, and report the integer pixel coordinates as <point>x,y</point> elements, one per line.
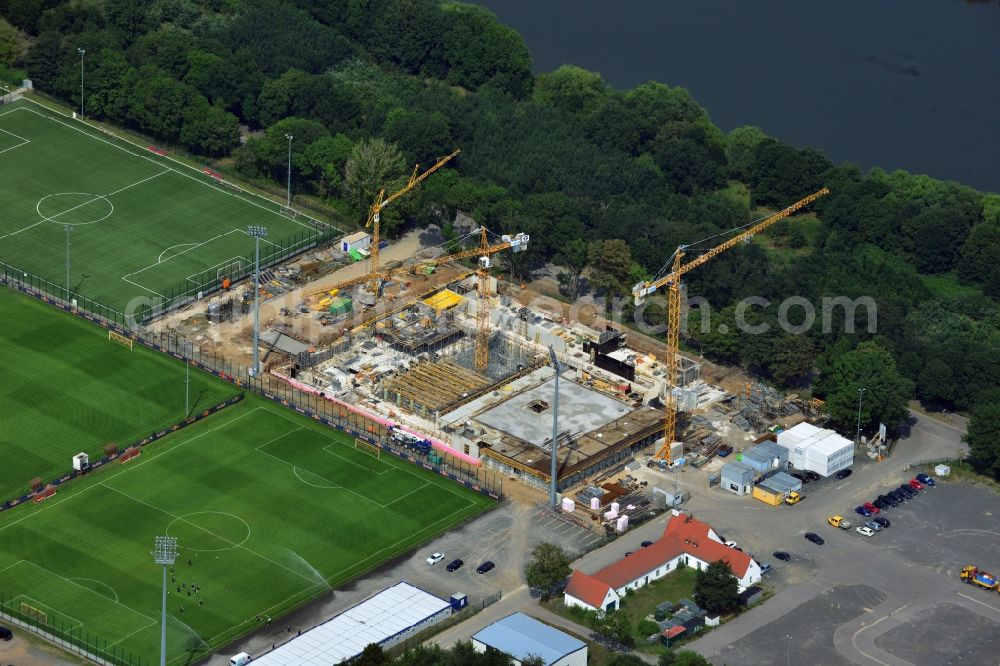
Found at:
<point>461,363</point>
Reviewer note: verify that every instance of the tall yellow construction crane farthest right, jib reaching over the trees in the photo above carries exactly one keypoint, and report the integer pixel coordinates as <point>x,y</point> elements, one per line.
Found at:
<point>672,281</point>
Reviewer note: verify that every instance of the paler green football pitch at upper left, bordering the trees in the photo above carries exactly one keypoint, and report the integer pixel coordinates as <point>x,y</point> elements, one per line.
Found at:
<point>140,225</point>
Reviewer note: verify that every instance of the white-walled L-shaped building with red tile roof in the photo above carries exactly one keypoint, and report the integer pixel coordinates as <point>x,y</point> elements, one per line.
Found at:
<point>684,540</point>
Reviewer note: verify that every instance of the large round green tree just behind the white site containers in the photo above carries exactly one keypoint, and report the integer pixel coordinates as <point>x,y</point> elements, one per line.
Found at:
<point>871,367</point>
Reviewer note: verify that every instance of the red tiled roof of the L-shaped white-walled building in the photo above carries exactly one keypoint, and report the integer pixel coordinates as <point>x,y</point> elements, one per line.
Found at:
<point>683,534</point>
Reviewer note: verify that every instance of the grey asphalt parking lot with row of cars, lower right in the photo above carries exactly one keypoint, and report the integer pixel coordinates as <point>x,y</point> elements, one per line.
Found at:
<point>893,598</point>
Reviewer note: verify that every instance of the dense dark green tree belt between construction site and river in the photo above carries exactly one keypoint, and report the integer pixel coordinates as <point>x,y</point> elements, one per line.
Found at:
<point>370,87</point>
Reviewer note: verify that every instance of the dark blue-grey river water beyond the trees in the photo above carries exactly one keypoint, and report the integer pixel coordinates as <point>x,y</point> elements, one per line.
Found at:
<point>911,84</point>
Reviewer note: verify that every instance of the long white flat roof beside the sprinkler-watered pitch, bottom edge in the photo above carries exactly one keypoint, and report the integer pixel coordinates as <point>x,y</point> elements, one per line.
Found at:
<point>388,613</point>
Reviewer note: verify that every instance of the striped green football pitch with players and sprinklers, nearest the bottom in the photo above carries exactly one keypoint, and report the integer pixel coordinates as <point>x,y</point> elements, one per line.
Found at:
<point>270,506</point>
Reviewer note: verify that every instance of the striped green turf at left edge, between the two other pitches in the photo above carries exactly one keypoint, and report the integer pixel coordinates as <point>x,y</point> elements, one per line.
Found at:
<point>68,389</point>
